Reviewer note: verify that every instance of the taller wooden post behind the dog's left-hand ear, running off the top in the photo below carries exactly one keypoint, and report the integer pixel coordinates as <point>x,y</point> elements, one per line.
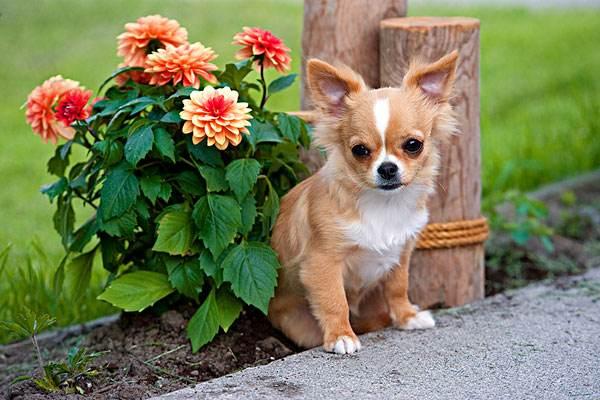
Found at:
<point>346,31</point>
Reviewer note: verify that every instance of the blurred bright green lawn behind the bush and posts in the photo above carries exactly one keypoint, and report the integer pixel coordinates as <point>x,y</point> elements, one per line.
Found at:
<point>539,77</point>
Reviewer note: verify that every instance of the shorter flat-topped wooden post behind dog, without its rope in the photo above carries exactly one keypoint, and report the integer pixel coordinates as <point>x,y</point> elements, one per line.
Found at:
<point>455,276</point>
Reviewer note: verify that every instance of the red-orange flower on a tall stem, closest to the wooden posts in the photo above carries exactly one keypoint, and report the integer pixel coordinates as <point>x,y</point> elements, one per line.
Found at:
<point>261,42</point>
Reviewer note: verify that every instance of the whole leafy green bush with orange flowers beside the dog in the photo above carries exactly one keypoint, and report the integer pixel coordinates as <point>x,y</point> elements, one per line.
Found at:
<point>183,171</point>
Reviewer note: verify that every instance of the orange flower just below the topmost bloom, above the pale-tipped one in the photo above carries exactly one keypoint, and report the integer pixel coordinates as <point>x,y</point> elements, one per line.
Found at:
<point>184,63</point>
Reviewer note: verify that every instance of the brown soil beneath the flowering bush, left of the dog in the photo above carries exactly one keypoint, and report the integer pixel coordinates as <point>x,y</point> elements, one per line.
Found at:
<point>146,355</point>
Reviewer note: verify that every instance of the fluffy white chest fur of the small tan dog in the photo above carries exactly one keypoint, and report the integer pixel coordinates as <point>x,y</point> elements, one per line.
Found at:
<point>387,222</point>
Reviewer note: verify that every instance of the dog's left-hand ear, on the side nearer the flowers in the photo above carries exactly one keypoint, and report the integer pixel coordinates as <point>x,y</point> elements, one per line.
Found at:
<point>331,86</point>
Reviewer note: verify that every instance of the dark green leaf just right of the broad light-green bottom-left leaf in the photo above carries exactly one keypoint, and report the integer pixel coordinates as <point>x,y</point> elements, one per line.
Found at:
<point>185,275</point>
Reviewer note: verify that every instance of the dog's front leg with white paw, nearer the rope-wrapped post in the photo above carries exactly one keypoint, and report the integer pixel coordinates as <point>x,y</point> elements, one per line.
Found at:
<point>403,314</point>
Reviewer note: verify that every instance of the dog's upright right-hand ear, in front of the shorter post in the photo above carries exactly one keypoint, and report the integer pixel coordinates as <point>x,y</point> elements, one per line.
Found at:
<point>434,80</point>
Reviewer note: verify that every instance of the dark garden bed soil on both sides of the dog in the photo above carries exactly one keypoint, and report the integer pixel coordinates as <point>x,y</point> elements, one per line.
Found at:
<point>148,354</point>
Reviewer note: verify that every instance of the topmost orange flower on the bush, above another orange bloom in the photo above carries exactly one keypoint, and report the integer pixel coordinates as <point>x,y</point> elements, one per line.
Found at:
<point>147,35</point>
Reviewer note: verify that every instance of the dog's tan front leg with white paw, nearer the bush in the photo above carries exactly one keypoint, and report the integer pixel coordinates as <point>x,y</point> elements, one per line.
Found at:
<point>324,282</point>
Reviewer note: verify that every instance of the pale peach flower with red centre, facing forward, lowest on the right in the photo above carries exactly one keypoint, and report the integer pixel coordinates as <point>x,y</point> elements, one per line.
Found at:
<point>216,115</point>
